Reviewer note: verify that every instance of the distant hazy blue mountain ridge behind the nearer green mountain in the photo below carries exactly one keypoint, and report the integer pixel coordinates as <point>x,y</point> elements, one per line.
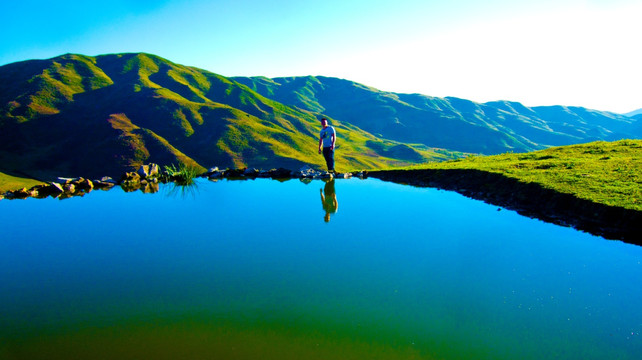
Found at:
<point>450,123</point>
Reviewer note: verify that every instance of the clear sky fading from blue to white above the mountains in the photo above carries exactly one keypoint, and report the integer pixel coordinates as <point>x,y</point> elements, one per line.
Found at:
<point>544,52</point>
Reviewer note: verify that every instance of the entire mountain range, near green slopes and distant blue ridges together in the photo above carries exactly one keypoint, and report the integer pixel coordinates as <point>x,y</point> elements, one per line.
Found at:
<point>77,115</point>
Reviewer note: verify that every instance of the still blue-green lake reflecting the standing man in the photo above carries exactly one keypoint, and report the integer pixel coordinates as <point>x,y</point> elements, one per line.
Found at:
<point>352,269</point>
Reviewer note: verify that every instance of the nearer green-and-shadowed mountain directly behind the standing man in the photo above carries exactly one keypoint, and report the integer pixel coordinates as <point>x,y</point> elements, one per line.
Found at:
<point>77,115</point>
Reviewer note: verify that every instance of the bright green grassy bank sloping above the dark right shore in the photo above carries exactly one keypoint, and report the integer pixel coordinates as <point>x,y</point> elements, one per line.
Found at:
<point>603,172</point>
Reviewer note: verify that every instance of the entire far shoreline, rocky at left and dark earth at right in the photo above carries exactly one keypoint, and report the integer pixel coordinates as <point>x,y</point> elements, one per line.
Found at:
<point>527,199</point>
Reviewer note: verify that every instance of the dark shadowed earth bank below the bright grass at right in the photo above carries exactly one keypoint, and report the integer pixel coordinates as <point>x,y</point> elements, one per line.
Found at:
<point>528,199</point>
